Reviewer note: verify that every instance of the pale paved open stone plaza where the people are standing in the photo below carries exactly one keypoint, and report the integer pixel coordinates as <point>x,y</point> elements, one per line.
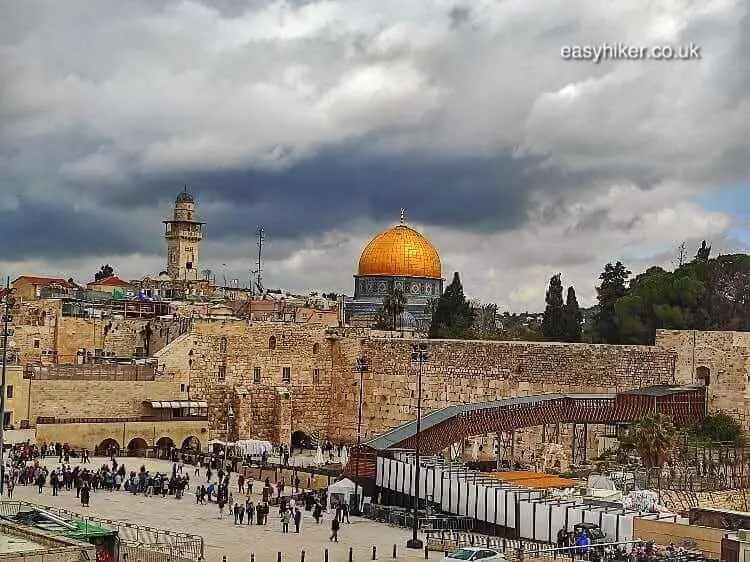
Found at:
<point>222,537</point>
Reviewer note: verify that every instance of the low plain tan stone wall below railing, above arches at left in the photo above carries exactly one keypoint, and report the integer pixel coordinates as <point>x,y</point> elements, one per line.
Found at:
<point>97,399</point>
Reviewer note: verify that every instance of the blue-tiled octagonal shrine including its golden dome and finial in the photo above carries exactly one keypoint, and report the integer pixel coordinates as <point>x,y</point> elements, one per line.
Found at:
<point>403,258</point>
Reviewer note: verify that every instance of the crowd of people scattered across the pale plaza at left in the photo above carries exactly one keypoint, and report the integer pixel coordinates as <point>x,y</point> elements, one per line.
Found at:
<point>25,466</point>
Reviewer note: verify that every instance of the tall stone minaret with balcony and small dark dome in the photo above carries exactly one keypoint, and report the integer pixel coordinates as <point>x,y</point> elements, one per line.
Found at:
<point>184,235</point>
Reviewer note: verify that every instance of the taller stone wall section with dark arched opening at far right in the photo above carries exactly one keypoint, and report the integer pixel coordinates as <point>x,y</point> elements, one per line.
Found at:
<point>722,359</point>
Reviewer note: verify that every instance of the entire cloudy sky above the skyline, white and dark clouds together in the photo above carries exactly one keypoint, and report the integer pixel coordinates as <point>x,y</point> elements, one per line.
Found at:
<point>321,119</point>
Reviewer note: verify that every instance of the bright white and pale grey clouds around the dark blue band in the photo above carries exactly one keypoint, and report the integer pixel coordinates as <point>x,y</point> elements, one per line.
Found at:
<point>154,90</point>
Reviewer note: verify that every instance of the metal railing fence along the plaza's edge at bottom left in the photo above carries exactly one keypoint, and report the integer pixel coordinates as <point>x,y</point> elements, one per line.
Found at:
<point>176,546</point>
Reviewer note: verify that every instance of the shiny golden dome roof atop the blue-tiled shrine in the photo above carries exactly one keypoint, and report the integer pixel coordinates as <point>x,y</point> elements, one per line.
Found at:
<point>400,251</point>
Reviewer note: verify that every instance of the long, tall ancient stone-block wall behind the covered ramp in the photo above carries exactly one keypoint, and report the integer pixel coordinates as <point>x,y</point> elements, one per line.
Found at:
<point>281,378</point>
